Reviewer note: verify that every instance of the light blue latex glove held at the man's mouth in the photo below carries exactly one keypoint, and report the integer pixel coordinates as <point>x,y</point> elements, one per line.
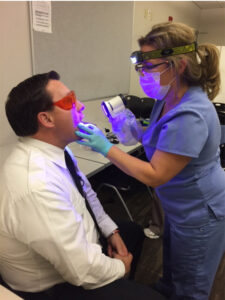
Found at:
<point>94,138</point>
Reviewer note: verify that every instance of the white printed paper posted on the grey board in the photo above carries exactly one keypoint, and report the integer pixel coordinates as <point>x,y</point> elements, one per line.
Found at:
<point>42,16</point>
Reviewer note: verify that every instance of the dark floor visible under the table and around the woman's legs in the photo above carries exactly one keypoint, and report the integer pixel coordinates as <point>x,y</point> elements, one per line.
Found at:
<point>139,203</point>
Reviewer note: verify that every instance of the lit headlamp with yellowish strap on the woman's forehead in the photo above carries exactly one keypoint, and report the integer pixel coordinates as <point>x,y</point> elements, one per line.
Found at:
<point>139,57</point>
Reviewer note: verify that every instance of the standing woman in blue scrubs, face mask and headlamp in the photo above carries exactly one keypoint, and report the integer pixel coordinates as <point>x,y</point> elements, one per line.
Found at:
<point>182,146</point>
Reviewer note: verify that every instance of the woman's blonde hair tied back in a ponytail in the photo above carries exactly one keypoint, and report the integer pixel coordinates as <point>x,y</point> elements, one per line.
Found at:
<point>202,65</point>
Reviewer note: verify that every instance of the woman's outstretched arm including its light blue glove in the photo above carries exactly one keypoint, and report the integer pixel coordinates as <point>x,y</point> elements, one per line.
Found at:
<point>162,167</point>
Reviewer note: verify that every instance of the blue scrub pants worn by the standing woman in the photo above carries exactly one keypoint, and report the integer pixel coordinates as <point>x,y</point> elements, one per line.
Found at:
<point>191,256</point>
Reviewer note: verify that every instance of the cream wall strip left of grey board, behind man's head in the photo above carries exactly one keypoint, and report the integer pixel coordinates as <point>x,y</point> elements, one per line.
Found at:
<point>15,57</point>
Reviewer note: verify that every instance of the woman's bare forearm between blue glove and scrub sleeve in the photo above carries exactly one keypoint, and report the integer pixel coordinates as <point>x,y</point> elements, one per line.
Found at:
<point>162,167</point>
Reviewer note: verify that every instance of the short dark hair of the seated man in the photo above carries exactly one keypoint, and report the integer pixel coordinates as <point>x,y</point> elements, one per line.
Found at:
<point>26,100</point>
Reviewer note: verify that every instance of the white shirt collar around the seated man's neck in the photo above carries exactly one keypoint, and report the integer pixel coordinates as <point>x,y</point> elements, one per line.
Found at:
<point>53,153</point>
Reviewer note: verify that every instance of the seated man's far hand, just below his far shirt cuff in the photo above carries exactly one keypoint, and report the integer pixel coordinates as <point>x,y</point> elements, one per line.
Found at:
<point>116,244</point>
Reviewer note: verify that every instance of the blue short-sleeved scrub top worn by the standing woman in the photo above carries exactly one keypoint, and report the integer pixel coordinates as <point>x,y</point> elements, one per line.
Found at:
<point>192,128</point>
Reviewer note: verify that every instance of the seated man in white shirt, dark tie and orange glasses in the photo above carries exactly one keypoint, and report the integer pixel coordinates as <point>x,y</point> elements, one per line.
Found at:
<point>51,221</point>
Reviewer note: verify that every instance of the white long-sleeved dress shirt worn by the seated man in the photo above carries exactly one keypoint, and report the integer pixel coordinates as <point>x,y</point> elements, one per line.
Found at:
<point>47,235</point>
